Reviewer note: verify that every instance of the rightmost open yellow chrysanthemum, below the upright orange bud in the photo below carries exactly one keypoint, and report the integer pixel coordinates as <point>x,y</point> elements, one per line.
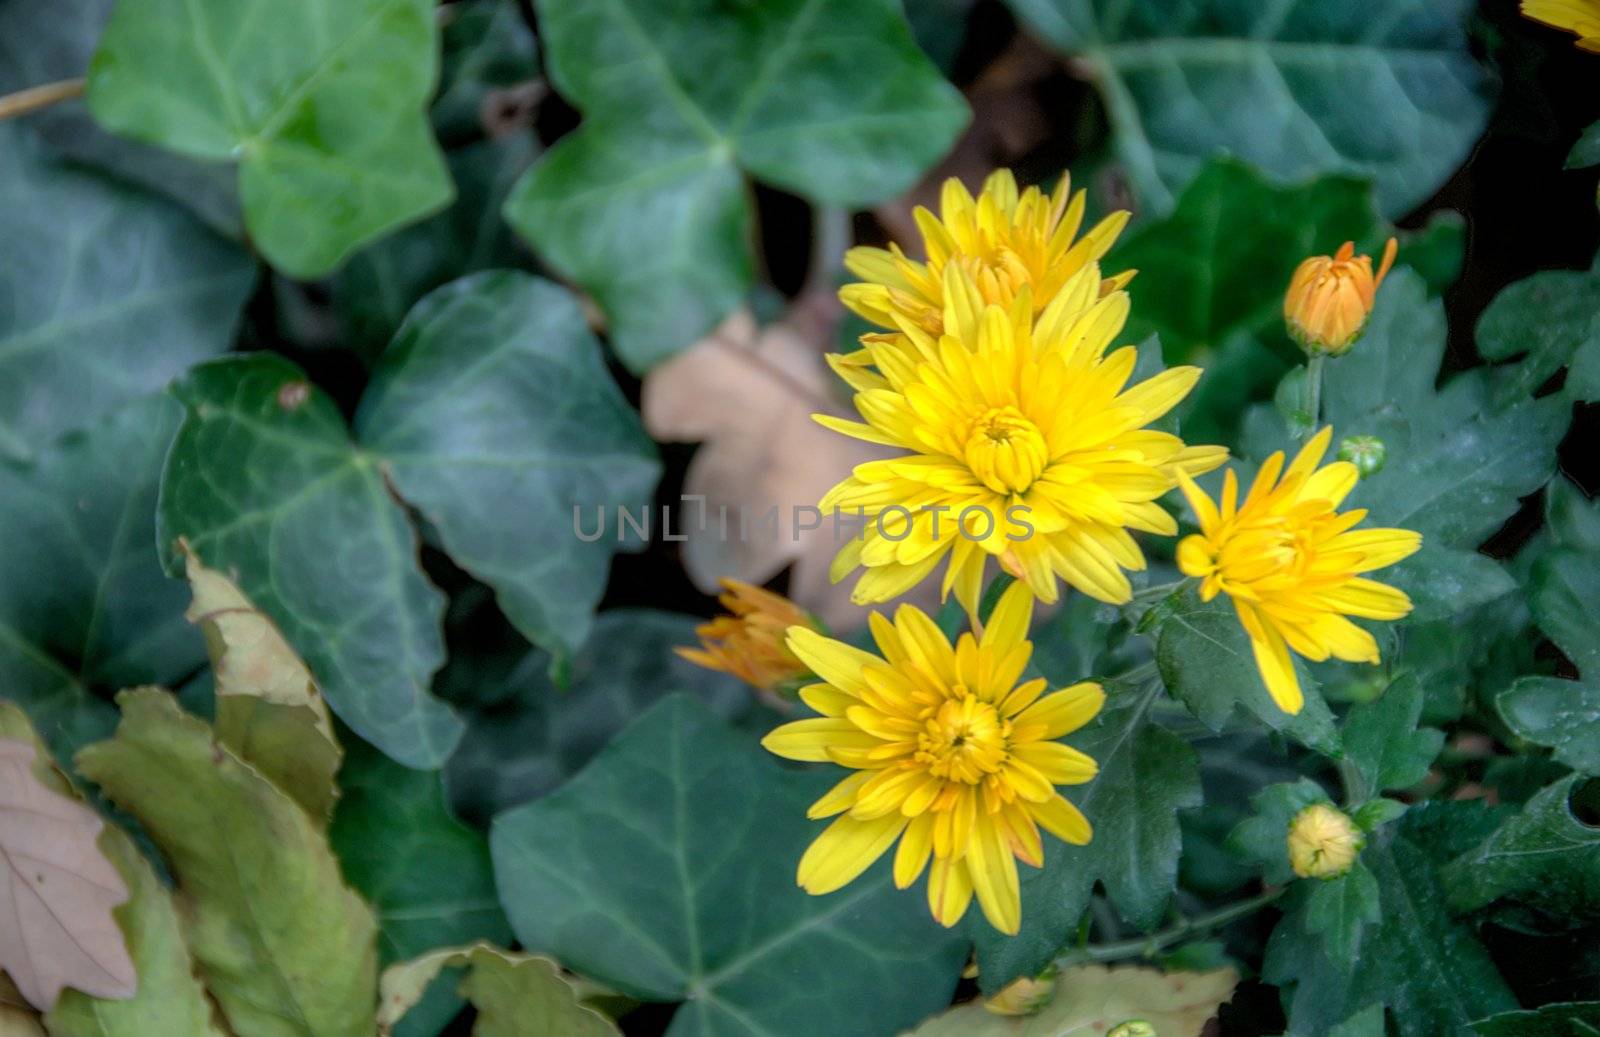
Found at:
<point>1292,564</point>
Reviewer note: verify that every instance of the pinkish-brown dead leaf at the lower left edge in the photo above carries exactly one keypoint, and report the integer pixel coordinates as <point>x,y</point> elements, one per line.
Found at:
<point>57,924</point>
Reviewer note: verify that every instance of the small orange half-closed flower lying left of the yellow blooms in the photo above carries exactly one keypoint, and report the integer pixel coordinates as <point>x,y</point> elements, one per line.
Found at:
<point>751,643</point>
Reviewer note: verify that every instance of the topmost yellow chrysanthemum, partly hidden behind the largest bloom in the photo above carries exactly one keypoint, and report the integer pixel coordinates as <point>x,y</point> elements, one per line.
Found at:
<point>1006,241</point>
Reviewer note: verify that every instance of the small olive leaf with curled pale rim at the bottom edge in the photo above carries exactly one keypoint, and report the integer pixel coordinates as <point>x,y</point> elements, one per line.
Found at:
<point>516,995</point>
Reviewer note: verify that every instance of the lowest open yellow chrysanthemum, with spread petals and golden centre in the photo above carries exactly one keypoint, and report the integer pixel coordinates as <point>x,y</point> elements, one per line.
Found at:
<point>954,759</point>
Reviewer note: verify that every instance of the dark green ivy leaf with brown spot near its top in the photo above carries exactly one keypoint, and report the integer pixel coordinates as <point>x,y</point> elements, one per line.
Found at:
<point>265,484</point>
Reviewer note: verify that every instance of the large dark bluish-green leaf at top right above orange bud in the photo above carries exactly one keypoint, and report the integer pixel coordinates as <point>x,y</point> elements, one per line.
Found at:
<point>1388,92</point>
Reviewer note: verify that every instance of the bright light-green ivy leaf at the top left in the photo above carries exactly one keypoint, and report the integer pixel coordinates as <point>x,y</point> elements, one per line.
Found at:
<point>322,103</point>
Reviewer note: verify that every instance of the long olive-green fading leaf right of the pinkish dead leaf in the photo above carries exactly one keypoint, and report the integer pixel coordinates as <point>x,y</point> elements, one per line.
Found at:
<point>282,943</point>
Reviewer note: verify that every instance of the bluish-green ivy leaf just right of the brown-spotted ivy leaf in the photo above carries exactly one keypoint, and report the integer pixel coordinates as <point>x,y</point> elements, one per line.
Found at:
<point>498,422</point>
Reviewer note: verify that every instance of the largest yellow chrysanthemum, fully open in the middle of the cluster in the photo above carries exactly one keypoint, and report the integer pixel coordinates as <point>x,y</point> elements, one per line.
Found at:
<point>1026,444</point>
